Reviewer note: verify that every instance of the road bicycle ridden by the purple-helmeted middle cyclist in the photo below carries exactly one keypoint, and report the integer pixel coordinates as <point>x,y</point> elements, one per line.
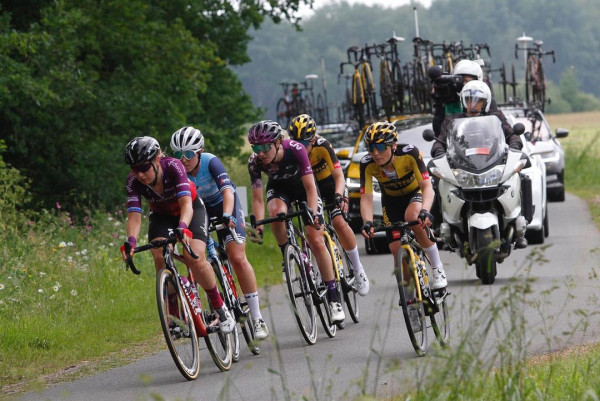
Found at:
<point>306,289</point>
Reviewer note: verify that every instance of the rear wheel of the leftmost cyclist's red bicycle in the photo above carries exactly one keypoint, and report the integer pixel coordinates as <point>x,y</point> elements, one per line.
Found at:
<point>220,345</point>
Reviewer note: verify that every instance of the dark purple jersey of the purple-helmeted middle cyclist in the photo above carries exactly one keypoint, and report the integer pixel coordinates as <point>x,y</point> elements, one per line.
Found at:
<point>285,173</point>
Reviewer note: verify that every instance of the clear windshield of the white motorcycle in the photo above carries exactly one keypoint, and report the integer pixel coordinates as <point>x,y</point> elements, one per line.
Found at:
<point>476,143</point>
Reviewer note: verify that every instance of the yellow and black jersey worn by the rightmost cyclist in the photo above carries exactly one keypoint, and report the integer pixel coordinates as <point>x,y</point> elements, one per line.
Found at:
<point>409,169</point>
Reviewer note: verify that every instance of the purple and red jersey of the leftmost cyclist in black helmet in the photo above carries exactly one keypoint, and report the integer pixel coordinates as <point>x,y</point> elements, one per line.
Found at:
<point>175,185</point>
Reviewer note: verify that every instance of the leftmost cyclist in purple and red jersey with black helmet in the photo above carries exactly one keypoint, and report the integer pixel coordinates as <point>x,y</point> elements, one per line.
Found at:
<point>174,205</point>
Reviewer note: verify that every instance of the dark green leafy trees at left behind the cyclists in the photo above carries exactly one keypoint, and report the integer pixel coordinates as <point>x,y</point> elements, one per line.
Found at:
<point>80,78</point>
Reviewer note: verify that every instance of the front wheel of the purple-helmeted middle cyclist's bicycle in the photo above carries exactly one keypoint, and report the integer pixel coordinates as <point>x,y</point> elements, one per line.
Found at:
<point>299,292</point>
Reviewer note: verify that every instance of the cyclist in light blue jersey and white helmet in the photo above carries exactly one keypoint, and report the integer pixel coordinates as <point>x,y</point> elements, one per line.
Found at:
<point>217,191</point>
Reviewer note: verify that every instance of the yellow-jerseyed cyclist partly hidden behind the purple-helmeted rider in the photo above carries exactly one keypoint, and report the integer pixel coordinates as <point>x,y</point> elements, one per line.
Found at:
<point>332,187</point>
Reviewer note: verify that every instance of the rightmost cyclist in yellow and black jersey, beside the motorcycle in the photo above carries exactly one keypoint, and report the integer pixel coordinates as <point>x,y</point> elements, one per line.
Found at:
<point>406,192</point>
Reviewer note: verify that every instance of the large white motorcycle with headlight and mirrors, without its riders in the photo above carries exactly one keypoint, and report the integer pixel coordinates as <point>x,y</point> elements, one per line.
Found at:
<point>480,192</point>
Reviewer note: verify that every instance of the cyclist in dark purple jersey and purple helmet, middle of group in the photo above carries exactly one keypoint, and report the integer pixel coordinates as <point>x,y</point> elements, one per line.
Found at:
<point>290,178</point>
